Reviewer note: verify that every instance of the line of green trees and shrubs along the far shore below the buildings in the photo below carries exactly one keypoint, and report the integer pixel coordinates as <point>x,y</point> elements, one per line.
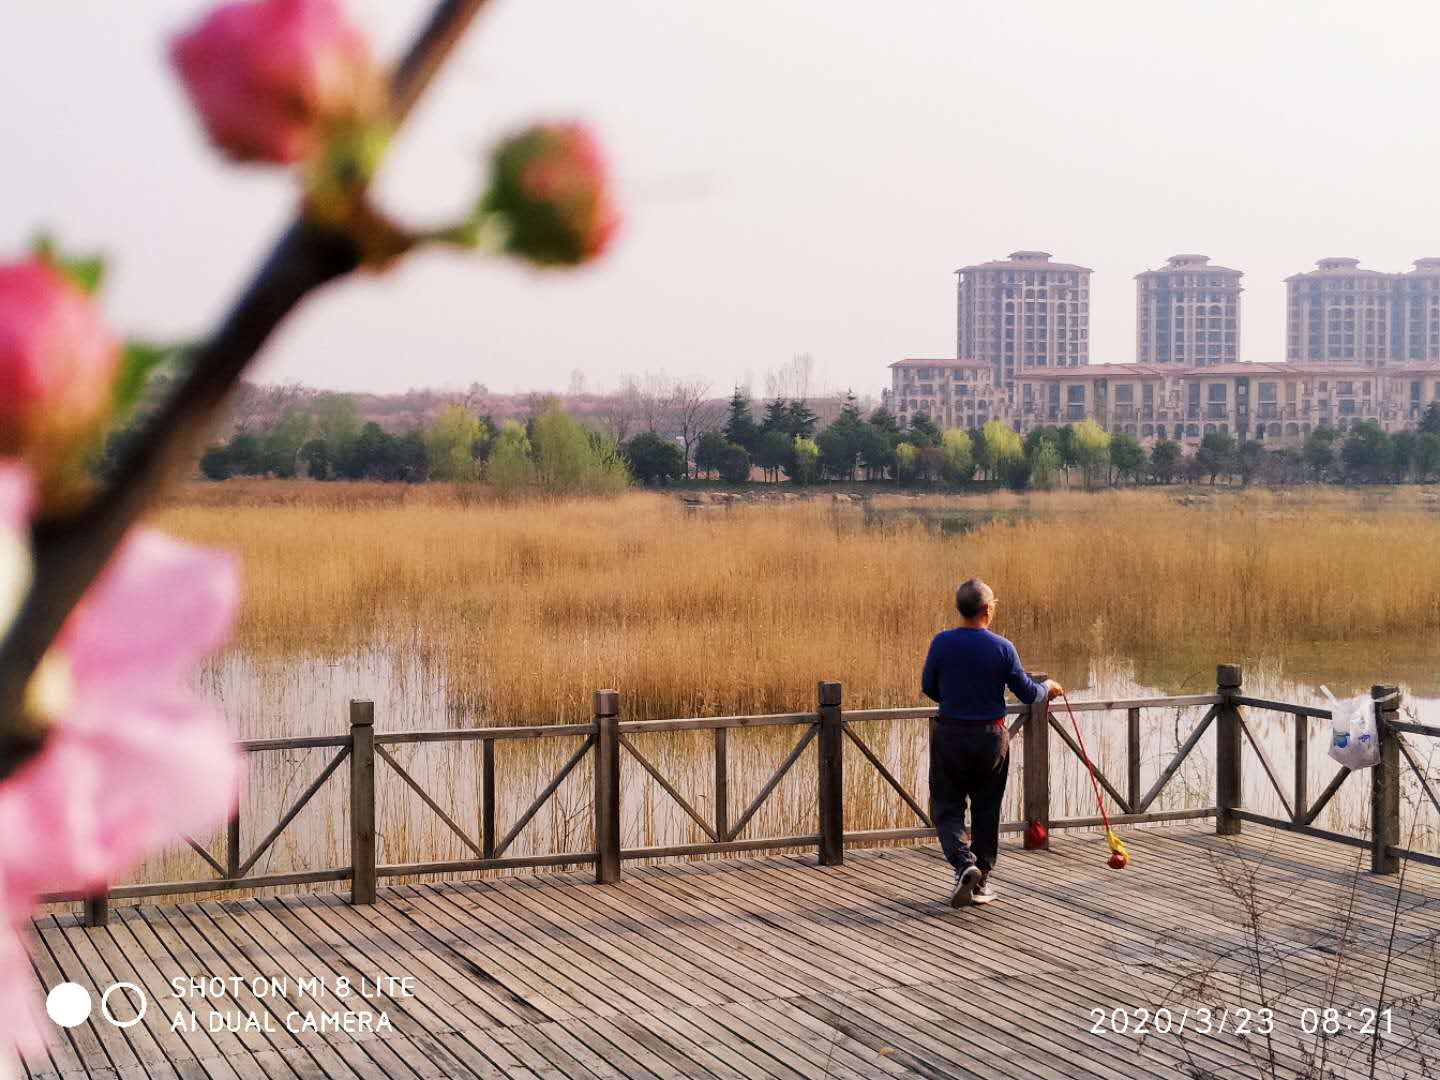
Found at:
<point>323,438</point>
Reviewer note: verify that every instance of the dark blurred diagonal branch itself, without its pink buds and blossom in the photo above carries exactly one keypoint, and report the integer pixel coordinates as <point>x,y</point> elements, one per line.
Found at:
<point>70,552</point>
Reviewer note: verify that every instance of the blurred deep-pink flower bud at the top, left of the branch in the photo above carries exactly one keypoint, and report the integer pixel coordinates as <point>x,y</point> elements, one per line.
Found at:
<point>271,78</point>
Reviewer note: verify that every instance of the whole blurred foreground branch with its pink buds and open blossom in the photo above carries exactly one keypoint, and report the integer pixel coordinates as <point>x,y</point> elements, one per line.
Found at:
<point>106,757</point>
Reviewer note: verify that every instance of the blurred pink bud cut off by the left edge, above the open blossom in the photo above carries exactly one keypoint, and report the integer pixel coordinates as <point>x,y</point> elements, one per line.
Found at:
<point>58,368</point>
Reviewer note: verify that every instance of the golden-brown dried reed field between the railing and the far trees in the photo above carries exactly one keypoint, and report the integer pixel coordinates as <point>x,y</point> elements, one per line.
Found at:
<point>742,608</point>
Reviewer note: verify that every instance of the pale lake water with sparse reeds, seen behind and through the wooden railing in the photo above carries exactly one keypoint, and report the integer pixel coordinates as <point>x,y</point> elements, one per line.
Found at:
<point>312,698</point>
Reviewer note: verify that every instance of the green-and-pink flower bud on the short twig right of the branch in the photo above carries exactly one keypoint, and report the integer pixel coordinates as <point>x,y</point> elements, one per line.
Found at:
<point>551,189</point>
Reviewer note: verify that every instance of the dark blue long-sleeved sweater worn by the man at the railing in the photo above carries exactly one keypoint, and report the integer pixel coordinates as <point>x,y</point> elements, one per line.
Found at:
<point>967,673</point>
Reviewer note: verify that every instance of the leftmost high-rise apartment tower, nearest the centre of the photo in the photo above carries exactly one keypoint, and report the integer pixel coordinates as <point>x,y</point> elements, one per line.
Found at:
<point>1025,312</point>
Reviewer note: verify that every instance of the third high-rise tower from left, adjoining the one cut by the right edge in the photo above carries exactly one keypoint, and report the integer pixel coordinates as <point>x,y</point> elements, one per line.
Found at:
<point>1343,313</point>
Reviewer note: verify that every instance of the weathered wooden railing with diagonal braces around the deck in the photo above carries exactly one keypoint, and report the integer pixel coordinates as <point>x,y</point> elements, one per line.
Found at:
<point>833,728</point>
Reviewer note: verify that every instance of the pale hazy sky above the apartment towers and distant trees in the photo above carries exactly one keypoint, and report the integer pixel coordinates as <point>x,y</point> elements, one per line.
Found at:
<point>798,178</point>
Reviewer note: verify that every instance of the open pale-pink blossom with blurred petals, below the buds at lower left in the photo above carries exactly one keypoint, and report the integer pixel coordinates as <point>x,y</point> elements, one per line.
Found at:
<point>132,761</point>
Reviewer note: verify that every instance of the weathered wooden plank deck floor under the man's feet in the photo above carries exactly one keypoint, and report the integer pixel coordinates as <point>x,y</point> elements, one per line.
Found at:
<point>777,968</point>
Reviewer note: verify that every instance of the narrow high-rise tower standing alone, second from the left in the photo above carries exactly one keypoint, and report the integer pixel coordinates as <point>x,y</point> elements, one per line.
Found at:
<point>1187,315</point>
